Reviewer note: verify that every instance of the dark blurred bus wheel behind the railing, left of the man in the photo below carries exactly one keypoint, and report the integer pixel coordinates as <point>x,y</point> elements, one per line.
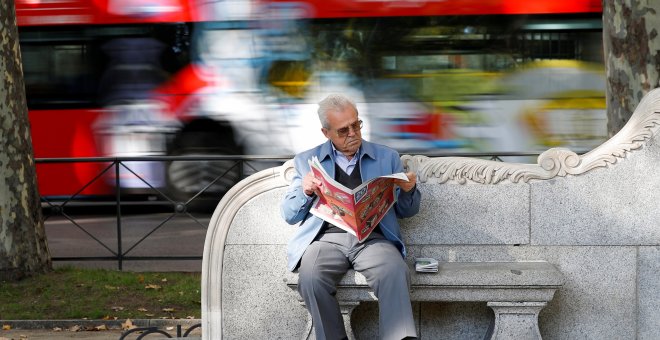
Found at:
<point>200,184</point>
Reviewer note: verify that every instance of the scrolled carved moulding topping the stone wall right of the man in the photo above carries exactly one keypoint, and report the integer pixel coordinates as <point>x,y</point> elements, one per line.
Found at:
<point>552,163</point>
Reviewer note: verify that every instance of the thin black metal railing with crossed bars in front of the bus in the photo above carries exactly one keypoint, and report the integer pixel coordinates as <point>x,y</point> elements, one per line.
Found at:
<point>112,167</point>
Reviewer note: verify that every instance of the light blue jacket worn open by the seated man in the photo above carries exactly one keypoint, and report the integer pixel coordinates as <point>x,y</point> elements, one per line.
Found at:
<point>375,160</point>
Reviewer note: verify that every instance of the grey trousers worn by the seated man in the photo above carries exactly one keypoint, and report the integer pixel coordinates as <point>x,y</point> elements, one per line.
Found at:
<point>327,259</point>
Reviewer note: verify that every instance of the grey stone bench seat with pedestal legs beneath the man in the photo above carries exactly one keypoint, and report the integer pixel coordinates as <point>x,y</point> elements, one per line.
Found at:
<point>516,291</point>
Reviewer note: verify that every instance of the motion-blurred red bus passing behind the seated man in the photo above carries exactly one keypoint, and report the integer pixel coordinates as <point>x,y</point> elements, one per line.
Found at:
<point>189,77</point>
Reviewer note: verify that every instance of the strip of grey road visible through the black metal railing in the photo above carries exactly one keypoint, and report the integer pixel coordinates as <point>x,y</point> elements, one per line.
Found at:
<point>142,235</point>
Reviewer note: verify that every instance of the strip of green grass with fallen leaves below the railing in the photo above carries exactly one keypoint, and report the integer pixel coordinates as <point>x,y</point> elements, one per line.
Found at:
<point>73,293</point>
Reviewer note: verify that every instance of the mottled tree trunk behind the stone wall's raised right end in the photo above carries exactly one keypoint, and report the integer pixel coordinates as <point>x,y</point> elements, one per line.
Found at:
<point>631,45</point>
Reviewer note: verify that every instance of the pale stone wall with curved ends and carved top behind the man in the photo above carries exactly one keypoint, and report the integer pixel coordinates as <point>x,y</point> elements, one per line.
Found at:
<point>593,216</point>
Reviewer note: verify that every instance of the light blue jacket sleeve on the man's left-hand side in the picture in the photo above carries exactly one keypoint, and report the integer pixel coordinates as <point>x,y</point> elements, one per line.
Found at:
<point>295,205</point>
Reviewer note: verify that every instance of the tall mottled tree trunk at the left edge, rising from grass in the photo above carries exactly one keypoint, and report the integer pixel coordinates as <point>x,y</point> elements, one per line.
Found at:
<point>23,247</point>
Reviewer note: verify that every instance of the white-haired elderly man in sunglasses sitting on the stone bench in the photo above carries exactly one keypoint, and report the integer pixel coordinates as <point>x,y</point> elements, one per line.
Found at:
<point>322,252</point>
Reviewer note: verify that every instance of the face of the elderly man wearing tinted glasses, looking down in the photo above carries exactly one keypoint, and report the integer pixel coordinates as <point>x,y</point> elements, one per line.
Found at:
<point>344,131</point>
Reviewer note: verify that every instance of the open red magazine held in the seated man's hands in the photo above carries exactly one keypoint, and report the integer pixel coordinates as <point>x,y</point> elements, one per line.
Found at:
<point>357,211</point>
